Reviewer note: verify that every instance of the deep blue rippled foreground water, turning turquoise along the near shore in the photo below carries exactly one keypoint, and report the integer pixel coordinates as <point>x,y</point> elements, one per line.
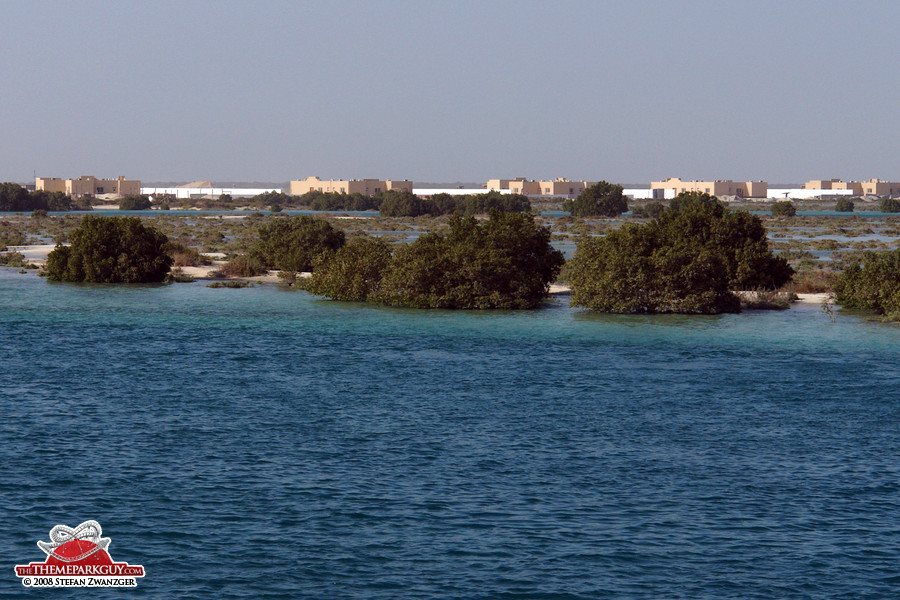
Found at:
<point>260,443</point>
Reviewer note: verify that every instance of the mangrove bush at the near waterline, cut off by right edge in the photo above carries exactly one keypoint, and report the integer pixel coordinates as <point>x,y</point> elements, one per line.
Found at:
<point>873,284</point>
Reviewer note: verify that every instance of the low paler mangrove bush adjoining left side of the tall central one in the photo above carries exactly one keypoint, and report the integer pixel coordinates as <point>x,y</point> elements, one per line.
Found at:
<point>354,272</point>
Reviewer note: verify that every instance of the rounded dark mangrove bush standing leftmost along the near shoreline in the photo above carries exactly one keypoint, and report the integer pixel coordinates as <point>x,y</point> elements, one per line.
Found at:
<point>111,250</point>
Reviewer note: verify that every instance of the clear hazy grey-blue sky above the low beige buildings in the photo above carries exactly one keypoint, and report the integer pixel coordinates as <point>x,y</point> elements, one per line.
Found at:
<point>626,92</point>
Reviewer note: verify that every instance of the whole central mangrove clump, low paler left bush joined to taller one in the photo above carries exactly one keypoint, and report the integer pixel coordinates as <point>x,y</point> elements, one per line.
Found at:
<point>505,262</point>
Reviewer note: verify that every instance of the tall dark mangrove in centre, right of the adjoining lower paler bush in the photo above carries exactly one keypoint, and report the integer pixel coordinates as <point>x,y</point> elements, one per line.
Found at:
<point>507,263</point>
